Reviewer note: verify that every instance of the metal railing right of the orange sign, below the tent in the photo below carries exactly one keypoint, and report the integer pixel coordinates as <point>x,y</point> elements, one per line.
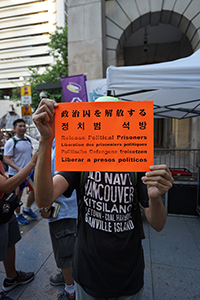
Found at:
<point>179,159</point>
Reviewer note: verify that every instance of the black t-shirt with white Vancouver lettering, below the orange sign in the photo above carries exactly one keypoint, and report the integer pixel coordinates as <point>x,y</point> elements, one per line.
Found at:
<point>108,257</point>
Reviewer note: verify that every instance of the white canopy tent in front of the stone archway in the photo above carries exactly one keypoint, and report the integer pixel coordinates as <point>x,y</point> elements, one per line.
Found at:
<point>173,86</point>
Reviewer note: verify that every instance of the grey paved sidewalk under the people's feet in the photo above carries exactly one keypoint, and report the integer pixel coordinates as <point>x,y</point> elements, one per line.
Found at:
<point>172,259</point>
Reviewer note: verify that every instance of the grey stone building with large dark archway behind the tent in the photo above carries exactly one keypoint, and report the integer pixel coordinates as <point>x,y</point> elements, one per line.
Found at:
<point>134,32</point>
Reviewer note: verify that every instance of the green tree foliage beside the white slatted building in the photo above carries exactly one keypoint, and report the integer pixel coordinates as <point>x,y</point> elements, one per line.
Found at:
<point>59,50</point>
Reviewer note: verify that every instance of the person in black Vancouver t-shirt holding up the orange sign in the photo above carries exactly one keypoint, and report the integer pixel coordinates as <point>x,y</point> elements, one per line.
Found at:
<point>108,257</point>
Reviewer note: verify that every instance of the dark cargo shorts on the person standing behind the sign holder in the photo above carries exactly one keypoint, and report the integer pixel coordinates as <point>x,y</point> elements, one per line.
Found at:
<point>63,240</point>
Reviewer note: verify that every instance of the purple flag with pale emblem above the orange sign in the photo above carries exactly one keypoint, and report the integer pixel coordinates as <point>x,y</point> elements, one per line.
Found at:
<point>74,88</point>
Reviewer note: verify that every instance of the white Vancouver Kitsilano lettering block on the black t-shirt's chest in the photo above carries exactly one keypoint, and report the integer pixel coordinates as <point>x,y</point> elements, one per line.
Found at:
<point>109,205</point>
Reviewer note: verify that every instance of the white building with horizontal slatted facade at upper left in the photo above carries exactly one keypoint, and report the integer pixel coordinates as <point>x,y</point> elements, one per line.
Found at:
<point>24,28</point>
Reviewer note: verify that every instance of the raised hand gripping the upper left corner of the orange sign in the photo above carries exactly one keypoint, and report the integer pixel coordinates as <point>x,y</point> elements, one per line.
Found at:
<point>44,118</point>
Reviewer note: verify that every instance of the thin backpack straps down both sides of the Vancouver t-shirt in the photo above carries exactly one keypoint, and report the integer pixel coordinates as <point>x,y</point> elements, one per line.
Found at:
<point>136,205</point>
